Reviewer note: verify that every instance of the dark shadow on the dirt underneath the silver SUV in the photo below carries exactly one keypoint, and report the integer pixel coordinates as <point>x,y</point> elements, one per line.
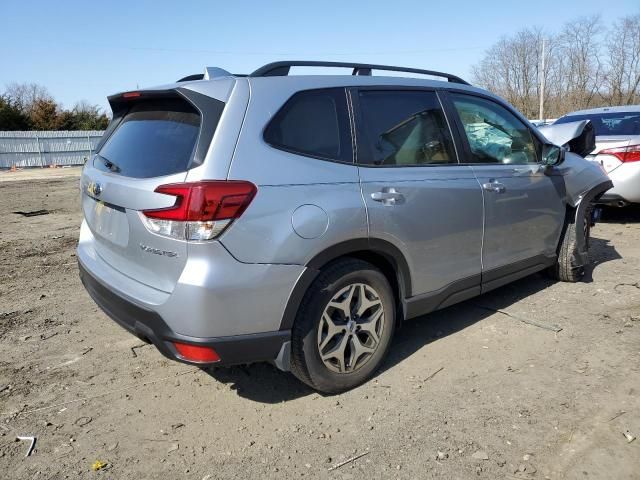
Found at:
<point>264,383</point>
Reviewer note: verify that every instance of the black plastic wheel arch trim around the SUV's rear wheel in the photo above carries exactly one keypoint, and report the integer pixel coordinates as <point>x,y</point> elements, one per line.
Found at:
<point>380,253</point>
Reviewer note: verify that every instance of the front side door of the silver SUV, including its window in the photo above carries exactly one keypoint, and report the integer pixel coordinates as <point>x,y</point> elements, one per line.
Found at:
<point>523,200</point>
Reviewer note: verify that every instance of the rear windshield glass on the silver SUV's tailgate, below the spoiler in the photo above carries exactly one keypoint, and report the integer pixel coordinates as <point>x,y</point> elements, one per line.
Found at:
<point>155,138</point>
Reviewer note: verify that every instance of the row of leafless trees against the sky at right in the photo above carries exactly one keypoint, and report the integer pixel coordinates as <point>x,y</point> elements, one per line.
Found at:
<point>586,64</point>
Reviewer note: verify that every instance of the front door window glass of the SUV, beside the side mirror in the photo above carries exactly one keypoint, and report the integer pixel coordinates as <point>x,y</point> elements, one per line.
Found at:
<point>495,135</point>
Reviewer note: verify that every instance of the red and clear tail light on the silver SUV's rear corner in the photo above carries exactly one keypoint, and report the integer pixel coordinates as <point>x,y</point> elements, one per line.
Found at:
<point>202,210</point>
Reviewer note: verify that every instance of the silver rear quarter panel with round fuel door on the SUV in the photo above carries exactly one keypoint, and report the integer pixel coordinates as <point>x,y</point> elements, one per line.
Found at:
<point>292,190</point>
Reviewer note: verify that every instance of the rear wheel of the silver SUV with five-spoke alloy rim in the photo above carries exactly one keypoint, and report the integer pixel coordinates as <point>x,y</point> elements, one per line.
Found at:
<point>343,327</point>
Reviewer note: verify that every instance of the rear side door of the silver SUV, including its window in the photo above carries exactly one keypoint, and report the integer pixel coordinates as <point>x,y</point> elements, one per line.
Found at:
<point>417,195</point>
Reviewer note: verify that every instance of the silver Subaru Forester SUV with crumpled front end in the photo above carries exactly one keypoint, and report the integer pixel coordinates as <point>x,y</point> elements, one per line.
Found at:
<point>301,219</point>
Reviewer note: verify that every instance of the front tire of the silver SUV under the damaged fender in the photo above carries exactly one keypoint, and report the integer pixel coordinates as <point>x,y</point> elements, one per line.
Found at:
<point>566,269</point>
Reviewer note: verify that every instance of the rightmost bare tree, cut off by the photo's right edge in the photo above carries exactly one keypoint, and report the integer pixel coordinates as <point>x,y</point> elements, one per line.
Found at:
<point>623,52</point>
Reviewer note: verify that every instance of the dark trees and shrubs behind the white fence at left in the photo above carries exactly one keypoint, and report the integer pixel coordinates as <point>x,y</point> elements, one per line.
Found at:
<point>29,106</point>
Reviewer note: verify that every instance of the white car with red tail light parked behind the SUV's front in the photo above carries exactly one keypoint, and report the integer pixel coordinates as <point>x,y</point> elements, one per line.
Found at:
<point>617,149</point>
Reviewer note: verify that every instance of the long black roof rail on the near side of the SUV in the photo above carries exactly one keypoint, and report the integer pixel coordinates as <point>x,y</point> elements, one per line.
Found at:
<point>276,69</point>
